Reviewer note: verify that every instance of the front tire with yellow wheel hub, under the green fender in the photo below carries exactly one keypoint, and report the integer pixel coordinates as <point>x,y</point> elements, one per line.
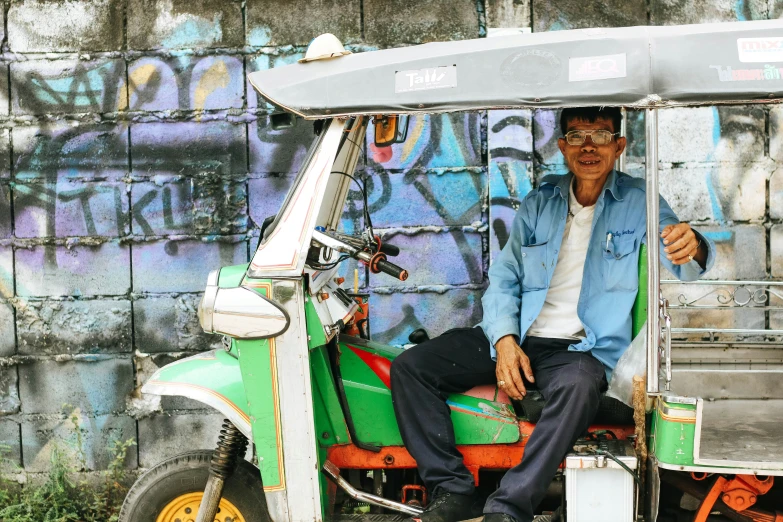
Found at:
<point>175,484</point>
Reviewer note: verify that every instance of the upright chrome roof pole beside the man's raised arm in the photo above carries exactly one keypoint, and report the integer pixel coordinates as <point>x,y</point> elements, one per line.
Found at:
<point>653,247</point>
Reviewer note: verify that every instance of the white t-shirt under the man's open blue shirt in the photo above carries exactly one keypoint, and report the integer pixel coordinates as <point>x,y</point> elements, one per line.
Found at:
<point>558,318</point>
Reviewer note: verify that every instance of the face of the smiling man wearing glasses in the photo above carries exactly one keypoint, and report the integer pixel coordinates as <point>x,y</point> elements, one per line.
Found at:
<point>591,162</point>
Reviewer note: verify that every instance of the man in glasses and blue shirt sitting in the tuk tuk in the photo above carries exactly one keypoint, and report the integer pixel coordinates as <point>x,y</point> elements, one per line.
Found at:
<point>556,313</point>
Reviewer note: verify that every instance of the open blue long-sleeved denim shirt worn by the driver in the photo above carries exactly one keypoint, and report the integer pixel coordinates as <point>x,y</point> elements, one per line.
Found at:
<point>520,276</point>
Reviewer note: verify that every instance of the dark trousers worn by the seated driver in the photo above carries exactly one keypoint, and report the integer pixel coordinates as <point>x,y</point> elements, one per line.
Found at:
<point>424,376</point>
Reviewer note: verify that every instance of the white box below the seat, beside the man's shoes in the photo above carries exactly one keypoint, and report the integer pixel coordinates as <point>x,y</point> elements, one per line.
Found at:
<point>597,488</point>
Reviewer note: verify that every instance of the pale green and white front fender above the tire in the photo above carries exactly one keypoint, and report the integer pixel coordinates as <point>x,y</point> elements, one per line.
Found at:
<point>212,378</point>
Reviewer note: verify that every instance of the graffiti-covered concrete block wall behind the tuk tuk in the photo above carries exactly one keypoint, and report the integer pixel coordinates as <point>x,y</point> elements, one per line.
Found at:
<point>134,158</point>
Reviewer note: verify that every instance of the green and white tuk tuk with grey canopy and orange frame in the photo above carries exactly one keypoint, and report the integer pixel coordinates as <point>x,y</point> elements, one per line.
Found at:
<point>301,383</point>
